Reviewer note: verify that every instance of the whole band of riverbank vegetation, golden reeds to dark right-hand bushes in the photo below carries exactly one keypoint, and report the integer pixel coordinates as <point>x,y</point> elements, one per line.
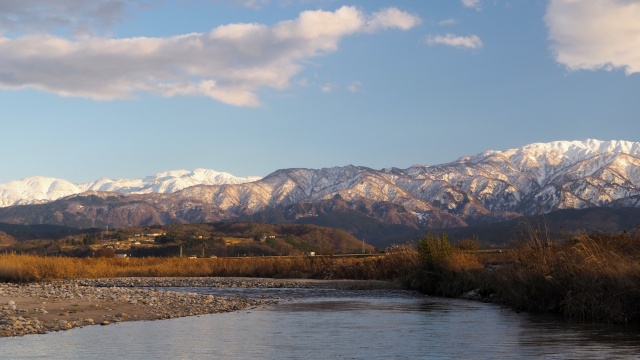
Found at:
<point>589,276</point>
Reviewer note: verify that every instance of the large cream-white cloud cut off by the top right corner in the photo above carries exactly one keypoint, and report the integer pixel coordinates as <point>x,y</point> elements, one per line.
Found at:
<point>592,35</point>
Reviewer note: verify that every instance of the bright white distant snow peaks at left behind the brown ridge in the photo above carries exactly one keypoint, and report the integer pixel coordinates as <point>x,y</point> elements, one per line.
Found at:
<point>35,190</point>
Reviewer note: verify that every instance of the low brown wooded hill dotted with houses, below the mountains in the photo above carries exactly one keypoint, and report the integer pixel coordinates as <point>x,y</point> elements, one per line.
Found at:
<point>202,240</point>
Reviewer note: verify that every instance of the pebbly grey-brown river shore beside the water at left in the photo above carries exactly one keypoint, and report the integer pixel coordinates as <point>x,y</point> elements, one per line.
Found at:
<point>38,308</point>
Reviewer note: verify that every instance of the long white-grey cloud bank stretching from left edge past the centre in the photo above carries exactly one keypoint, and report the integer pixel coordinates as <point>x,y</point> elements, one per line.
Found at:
<point>229,64</point>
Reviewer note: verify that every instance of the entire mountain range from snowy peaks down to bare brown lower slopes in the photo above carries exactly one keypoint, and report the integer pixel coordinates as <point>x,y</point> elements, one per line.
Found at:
<point>485,188</point>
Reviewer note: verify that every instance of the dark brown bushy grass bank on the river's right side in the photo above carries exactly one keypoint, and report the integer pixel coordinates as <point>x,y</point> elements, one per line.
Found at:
<point>591,277</point>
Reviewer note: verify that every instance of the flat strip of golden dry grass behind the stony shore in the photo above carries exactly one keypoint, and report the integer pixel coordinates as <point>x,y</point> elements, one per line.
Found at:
<point>28,268</point>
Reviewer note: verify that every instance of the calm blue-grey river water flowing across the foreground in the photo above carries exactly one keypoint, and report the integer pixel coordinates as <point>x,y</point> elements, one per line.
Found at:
<point>329,324</point>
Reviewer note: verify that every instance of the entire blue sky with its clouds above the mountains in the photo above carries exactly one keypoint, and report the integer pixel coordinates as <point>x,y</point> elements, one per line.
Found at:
<point>125,89</point>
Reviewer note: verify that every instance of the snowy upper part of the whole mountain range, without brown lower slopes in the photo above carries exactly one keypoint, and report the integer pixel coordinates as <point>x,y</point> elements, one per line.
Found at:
<point>536,178</point>
